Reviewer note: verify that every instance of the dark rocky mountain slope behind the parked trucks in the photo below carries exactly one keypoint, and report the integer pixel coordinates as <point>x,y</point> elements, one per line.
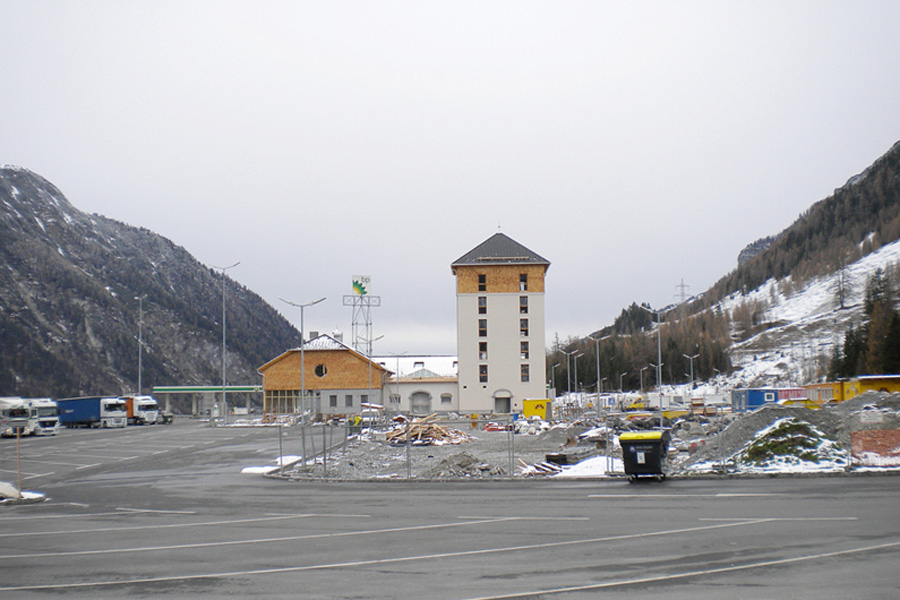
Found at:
<point>69,314</point>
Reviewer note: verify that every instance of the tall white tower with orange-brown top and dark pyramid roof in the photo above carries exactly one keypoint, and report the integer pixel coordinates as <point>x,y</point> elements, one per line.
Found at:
<point>500,325</point>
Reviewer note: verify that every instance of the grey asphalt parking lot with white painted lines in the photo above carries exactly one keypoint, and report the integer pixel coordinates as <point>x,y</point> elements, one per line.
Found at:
<point>165,510</point>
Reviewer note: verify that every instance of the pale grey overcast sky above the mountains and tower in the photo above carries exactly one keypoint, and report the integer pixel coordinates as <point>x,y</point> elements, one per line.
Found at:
<point>632,144</point>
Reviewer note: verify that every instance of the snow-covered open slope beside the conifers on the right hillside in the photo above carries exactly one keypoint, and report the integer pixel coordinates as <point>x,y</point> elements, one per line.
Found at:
<point>804,324</point>
